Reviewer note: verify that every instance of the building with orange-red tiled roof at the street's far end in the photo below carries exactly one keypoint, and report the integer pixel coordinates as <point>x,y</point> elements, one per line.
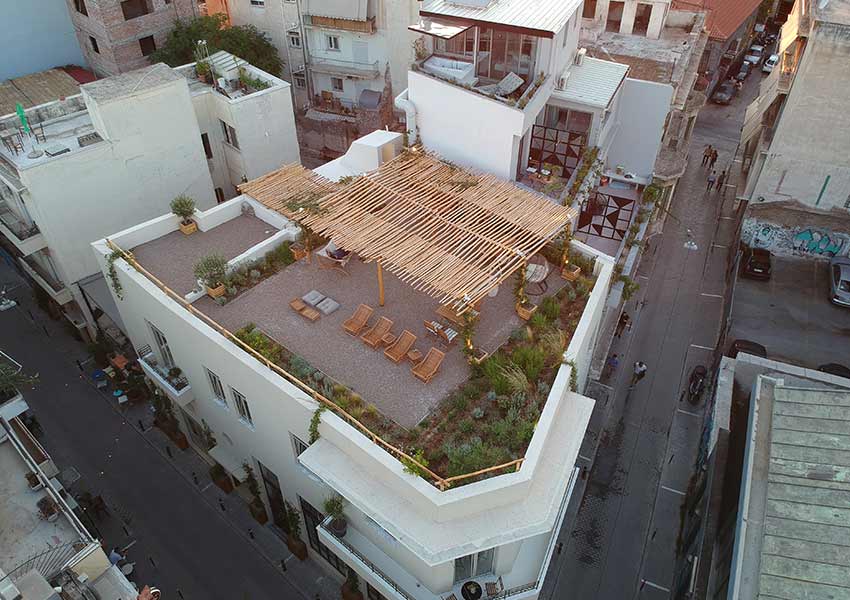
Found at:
<point>730,26</point>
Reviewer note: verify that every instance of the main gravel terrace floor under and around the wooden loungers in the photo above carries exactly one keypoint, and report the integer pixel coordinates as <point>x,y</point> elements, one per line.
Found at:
<point>391,387</point>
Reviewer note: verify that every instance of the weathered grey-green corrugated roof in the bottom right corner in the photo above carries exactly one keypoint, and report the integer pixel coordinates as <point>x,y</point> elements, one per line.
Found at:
<point>805,527</point>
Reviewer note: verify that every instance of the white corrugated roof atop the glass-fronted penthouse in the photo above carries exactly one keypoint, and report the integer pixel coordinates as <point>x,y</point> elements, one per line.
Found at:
<point>547,17</point>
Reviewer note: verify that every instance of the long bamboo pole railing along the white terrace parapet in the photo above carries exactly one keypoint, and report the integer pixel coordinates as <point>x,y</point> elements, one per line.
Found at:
<point>442,483</point>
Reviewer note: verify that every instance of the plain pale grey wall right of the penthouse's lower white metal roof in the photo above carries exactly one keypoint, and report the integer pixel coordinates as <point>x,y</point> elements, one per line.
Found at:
<point>642,109</point>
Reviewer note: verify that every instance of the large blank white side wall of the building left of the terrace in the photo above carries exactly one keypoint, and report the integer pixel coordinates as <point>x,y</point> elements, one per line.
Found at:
<point>94,191</point>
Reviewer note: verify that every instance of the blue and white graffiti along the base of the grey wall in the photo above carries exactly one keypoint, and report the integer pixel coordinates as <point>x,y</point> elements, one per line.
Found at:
<point>795,241</point>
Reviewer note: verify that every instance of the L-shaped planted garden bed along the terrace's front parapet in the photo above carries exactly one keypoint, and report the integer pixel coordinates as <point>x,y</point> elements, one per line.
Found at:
<point>490,419</point>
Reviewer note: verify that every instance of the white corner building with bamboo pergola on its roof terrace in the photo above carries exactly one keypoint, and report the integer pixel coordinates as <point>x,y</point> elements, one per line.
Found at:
<point>407,537</point>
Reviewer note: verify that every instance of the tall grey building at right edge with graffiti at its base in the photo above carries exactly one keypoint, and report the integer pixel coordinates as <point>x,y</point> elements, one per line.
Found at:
<point>794,152</point>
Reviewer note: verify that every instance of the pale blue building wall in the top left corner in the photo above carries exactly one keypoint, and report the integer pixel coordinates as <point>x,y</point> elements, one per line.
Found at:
<point>37,36</point>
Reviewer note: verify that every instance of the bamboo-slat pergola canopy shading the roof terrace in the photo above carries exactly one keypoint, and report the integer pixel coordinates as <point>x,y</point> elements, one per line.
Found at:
<point>451,233</point>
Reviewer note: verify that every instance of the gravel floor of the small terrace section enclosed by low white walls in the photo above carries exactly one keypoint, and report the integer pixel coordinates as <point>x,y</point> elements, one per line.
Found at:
<point>172,257</point>
